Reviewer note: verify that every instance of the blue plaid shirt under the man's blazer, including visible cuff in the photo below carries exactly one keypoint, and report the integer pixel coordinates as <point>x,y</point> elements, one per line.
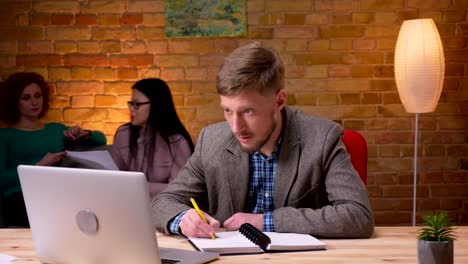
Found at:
<point>261,189</point>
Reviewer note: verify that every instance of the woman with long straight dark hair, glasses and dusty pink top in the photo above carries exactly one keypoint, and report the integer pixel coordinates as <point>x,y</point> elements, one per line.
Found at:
<point>155,142</point>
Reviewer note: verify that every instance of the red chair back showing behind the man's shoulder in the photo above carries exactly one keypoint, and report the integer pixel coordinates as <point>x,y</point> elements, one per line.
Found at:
<point>356,146</point>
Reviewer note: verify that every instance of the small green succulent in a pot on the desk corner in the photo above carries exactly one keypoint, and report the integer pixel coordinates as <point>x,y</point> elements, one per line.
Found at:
<point>435,240</point>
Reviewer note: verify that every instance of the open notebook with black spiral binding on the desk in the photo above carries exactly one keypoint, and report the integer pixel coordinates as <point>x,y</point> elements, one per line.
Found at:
<point>249,240</point>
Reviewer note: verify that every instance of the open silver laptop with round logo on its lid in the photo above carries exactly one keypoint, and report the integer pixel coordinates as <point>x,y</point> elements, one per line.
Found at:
<point>94,216</point>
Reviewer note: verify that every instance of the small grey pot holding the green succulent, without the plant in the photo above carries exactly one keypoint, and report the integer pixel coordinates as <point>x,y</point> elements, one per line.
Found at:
<point>435,252</point>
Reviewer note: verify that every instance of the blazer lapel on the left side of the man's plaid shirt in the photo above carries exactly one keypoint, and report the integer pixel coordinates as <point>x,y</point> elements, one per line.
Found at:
<point>236,164</point>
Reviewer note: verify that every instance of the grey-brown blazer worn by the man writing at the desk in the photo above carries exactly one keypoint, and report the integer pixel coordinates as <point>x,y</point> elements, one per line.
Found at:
<point>317,190</point>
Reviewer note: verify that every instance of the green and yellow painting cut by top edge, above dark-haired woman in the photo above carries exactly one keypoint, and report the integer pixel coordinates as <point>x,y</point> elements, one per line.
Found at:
<point>205,18</point>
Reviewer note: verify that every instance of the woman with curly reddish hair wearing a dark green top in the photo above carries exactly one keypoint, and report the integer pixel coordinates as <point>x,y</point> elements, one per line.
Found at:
<point>27,140</point>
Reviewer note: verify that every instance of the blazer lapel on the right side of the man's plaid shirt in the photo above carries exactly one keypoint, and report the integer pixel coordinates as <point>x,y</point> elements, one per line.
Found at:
<point>288,160</point>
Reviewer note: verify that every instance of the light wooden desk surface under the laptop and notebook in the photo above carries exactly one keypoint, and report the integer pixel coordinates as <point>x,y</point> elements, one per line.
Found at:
<point>388,244</point>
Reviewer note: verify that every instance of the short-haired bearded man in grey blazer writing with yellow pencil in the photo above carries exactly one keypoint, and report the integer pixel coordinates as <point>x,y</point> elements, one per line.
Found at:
<point>268,164</point>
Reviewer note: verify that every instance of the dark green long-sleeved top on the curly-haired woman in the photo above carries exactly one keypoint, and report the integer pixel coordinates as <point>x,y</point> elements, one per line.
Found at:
<point>28,147</point>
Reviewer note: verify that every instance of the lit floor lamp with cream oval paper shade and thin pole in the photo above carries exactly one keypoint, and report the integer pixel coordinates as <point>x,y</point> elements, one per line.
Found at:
<point>419,75</point>
